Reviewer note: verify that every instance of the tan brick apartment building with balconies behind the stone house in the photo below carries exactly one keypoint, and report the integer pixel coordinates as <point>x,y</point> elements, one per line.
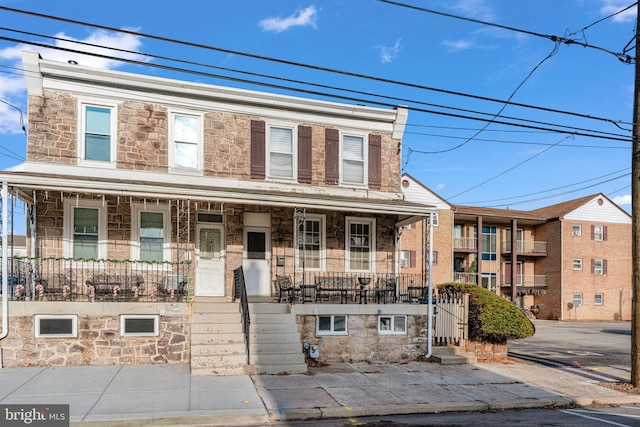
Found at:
<point>573,259</point>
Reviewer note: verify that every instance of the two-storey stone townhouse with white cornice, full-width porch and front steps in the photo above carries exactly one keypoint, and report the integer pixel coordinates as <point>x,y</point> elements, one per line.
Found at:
<point>154,206</point>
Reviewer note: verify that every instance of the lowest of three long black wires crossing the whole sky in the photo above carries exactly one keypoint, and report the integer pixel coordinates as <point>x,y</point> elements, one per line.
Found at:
<point>578,132</point>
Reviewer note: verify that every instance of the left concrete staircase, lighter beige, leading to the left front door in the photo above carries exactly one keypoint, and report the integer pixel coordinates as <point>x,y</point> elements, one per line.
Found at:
<point>217,340</point>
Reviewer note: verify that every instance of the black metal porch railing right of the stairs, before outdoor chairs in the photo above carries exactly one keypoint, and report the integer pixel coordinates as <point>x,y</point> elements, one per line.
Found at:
<point>360,288</point>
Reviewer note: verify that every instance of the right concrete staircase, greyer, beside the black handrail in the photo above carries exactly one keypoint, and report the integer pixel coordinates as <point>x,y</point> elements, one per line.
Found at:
<point>274,342</point>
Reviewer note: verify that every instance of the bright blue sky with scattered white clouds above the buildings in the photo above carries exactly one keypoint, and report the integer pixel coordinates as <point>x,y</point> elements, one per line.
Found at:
<point>465,161</point>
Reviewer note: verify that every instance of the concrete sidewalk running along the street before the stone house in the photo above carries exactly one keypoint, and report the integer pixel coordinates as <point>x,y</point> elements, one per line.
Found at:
<point>167,395</point>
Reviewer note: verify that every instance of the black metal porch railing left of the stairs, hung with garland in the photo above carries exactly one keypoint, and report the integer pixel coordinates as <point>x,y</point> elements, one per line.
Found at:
<point>64,279</point>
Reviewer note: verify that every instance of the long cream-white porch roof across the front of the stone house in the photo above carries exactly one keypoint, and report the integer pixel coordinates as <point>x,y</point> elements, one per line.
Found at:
<point>29,177</point>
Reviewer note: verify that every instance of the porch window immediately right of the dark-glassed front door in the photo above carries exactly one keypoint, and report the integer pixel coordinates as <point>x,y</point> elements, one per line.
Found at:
<point>311,243</point>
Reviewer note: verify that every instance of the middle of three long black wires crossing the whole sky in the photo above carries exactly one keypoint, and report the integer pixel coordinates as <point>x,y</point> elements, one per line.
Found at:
<point>493,115</point>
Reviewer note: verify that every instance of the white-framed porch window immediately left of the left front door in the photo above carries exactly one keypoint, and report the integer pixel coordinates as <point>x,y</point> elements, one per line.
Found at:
<point>151,233</point>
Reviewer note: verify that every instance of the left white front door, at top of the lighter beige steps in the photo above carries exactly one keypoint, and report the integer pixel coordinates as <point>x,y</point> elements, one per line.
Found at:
<point>210,260</point>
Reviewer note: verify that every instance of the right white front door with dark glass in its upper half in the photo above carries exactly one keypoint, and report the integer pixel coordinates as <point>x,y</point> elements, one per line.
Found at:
<point>256,263</point>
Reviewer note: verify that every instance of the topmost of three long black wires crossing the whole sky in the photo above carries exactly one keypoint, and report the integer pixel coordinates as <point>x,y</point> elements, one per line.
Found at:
<point>303,65</point>
